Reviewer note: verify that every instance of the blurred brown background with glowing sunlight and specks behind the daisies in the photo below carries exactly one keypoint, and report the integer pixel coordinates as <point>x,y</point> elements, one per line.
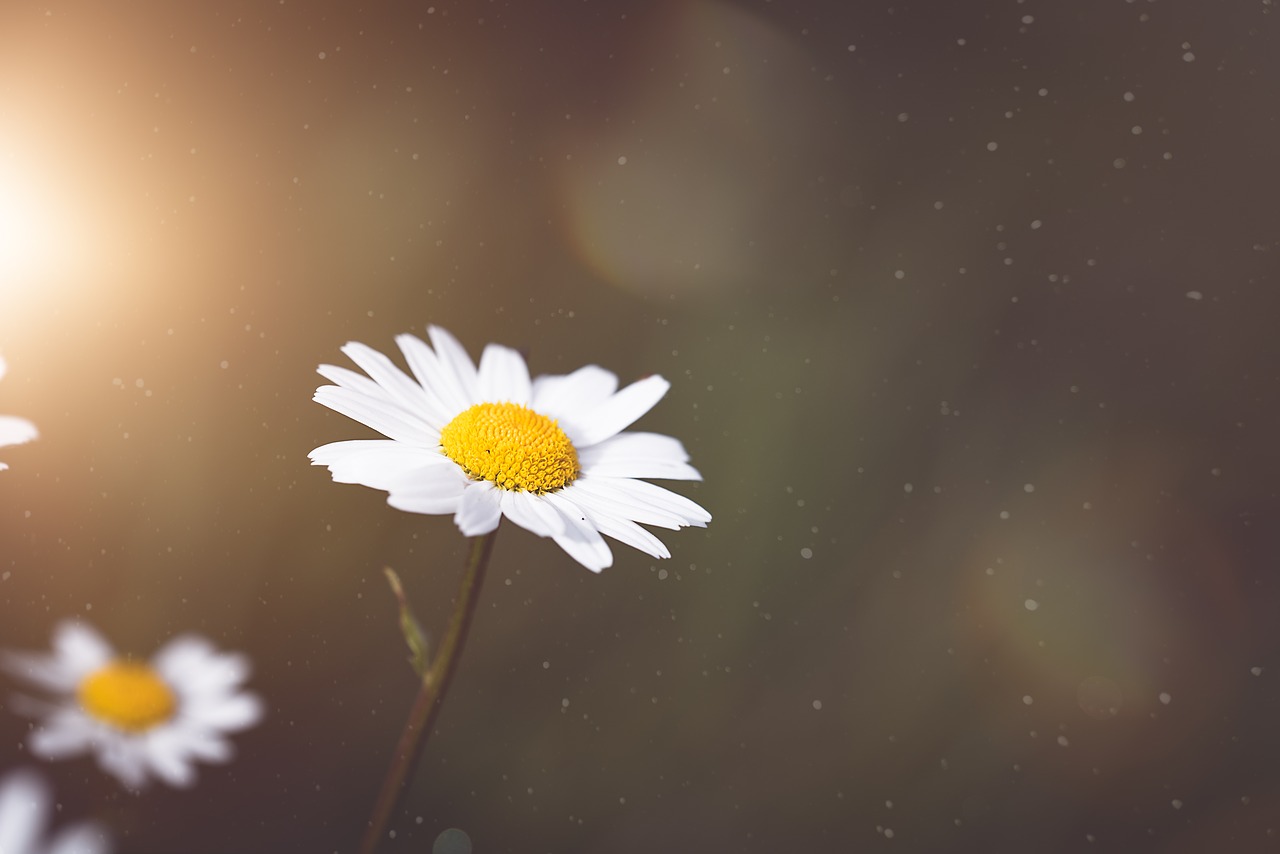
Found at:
<point>970,316</point>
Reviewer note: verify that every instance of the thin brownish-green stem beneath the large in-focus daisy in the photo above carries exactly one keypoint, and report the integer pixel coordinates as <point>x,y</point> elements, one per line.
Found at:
<point>431,693</point>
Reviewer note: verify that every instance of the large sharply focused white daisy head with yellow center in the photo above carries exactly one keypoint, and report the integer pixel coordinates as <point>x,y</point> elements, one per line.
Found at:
<point>550,455</point>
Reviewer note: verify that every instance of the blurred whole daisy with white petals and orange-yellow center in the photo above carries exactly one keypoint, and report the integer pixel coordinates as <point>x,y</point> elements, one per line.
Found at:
<point>141,720</point>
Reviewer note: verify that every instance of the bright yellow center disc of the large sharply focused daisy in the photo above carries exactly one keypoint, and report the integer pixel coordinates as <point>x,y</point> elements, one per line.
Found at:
<point>513,446</point>
